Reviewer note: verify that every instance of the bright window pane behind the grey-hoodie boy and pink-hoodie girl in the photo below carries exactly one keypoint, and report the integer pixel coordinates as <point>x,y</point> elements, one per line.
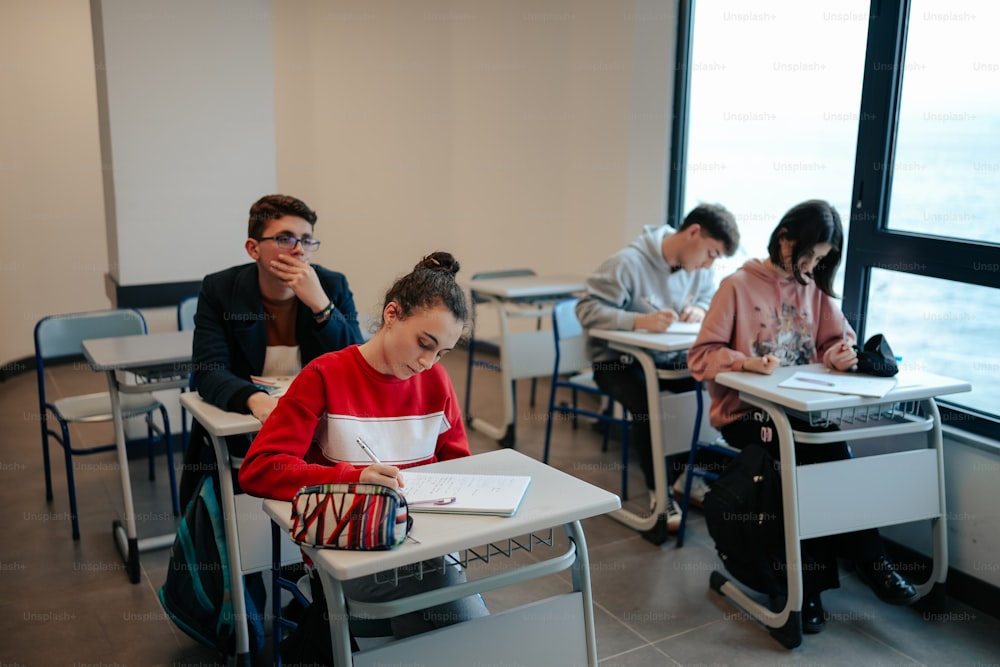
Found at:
<point>775,93</point>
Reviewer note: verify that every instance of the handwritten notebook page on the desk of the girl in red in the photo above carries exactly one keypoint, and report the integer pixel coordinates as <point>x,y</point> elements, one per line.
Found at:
<point>464,493</point>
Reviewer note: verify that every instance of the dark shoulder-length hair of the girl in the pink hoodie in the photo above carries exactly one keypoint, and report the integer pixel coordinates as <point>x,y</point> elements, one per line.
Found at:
<point>806,225</point>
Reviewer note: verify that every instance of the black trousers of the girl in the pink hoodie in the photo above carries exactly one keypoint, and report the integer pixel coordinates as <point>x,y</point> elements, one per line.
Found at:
<point>819,555</point>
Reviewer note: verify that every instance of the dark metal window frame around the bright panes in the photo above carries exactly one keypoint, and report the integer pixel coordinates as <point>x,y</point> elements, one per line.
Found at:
<point>871,243</point>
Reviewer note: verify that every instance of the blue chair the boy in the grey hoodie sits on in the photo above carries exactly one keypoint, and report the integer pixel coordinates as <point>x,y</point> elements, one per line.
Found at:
<point>572,371</point>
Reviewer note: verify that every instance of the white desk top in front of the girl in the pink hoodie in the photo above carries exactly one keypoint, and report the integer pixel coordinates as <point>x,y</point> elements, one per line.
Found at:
<point>910,386</point>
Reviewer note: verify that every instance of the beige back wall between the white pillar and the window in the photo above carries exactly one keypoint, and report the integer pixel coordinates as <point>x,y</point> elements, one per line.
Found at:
<point>500,131</point>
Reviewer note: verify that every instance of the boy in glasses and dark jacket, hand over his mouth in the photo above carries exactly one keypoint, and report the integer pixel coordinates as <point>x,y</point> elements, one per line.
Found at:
<point>272,316</point>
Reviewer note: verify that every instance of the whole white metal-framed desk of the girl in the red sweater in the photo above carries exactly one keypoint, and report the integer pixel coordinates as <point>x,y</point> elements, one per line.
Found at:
<point>553,499</point>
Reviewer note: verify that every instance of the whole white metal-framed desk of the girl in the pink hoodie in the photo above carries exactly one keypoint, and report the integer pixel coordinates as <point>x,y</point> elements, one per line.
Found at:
<point>813,497</point>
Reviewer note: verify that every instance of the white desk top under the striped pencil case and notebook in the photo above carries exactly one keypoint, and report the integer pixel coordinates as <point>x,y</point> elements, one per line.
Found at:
<point>553,499</point>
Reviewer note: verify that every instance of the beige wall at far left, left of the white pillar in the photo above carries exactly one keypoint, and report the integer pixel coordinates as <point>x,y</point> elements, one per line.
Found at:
<point>53,255</point>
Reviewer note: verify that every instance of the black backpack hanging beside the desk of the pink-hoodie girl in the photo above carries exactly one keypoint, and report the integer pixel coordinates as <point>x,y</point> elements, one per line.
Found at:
<point>744,516</point>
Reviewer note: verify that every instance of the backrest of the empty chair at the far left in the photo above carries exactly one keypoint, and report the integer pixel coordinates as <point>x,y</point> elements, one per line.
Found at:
<point>63,335</point>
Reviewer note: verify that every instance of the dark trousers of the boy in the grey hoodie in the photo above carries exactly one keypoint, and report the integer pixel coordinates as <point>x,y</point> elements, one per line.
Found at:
<point>625,382</point>
